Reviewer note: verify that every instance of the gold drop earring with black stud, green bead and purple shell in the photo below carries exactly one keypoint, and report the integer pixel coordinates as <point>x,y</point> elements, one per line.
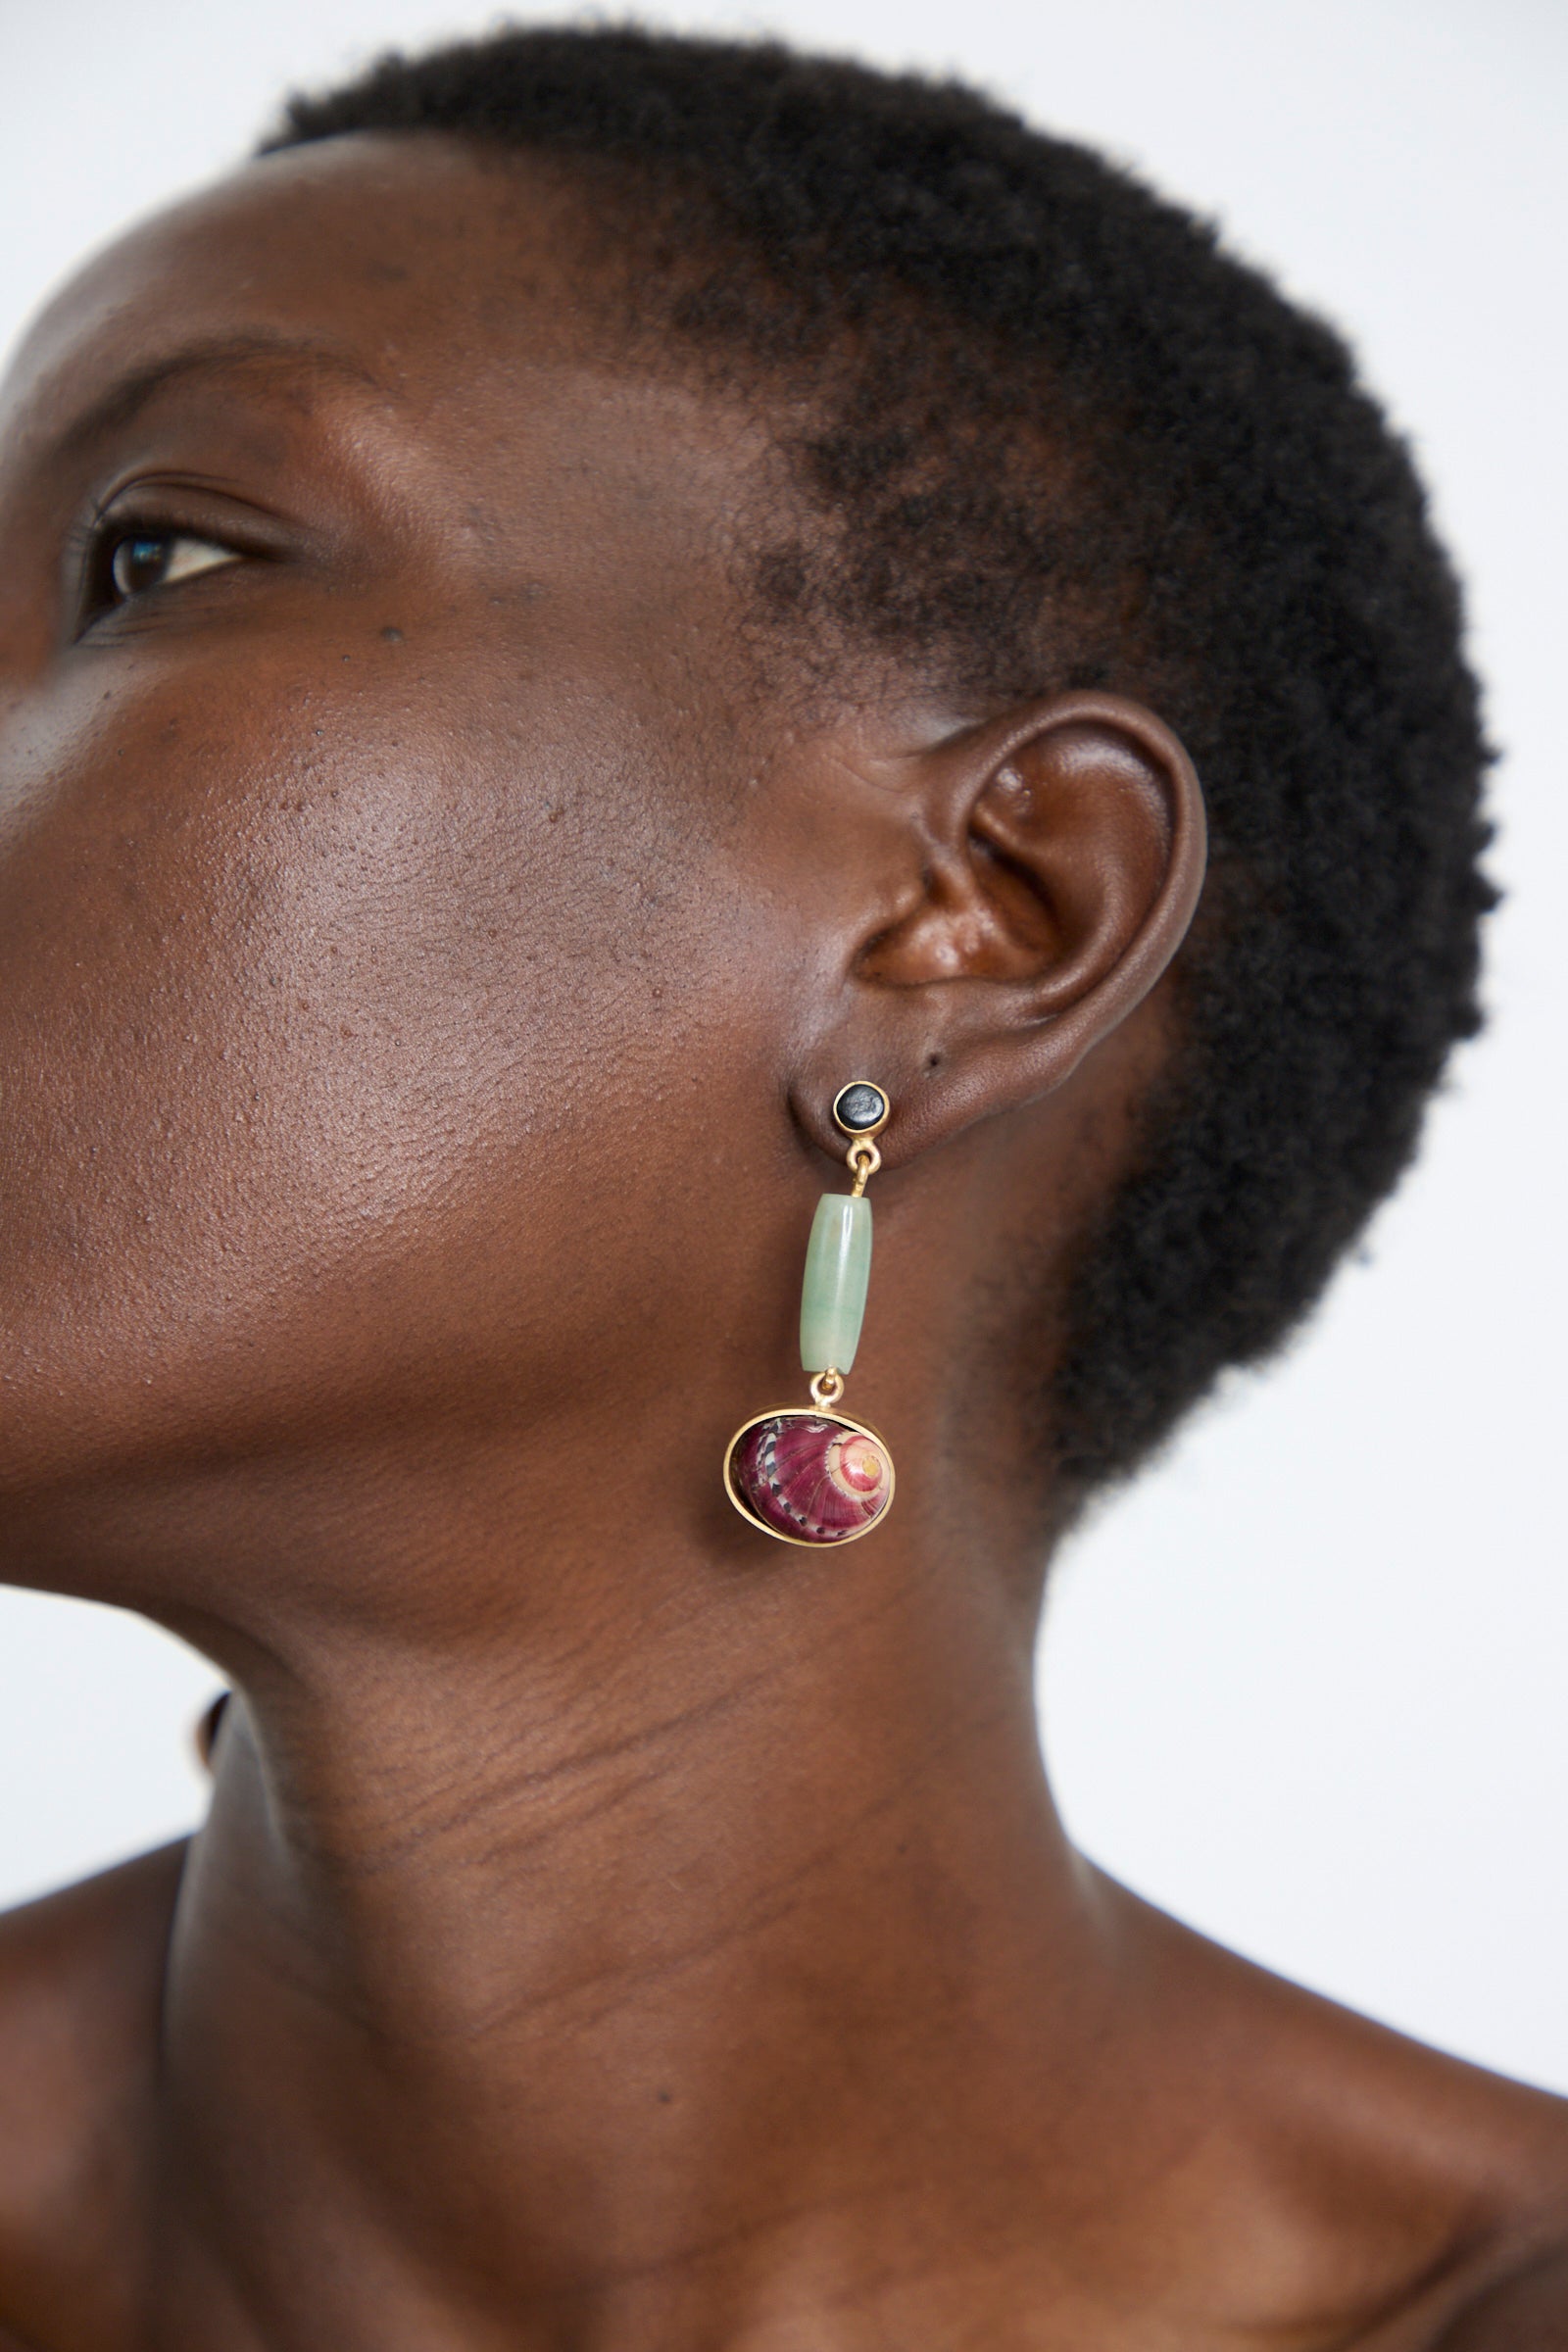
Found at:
<point>808,1474</point>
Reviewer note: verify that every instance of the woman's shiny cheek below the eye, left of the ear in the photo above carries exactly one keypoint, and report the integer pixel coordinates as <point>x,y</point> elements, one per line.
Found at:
<point>337,1071</point>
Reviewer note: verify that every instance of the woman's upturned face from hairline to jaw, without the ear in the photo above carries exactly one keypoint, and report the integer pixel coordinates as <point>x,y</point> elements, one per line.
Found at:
<point>382,836</point>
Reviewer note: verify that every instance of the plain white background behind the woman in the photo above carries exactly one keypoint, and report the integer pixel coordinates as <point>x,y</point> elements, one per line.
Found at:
<point>1306,1683</point>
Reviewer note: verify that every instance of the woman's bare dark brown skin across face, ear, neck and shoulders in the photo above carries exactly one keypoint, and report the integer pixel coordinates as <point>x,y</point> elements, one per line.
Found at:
<point>429,949</point>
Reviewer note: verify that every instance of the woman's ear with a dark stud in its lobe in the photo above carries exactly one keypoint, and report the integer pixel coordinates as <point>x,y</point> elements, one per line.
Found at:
<point>1052,864</point>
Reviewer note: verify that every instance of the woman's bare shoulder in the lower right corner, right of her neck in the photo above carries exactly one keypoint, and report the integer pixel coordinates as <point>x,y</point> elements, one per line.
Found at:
<point>1421,2200</point>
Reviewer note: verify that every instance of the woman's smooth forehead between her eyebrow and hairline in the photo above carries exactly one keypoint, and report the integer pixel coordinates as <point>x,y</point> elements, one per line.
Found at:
<point>448,307</point>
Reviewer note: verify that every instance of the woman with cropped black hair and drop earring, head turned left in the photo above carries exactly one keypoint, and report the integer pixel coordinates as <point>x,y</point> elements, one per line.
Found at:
<point>608,629</point>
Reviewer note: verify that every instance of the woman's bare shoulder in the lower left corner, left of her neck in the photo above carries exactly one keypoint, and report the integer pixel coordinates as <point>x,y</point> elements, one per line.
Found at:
<point>81,1986</point>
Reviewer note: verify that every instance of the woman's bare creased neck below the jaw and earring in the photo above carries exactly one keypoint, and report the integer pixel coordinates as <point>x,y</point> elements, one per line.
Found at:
<point>648,1986</point>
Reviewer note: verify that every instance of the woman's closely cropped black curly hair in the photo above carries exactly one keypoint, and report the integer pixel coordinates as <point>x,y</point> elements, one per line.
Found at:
<point>1057,439</point>
